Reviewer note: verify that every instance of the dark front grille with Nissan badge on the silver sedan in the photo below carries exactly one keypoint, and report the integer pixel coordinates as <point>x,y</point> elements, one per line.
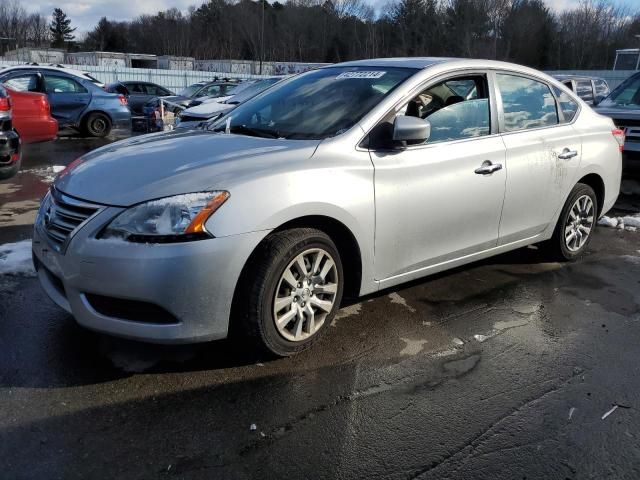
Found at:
<point>61,216</point>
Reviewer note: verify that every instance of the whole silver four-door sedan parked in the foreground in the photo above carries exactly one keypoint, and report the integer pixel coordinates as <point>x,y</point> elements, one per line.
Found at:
<point>341,181</point>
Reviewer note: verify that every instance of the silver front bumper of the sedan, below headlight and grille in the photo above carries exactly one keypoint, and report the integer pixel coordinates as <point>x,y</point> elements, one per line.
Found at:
<point>192,283</point>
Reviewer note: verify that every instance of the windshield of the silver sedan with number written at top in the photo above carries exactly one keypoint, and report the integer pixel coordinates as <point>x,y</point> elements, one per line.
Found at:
<point>314,105</point>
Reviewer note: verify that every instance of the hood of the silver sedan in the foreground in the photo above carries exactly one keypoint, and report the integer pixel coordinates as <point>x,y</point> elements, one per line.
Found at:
<point>164,164</point>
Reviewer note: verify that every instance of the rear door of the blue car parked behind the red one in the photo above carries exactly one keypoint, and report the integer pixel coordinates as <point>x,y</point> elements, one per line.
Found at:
<point>68,98</point>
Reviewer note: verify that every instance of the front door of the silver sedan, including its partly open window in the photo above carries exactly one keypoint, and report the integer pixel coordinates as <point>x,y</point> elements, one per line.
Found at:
<point>440,200</point>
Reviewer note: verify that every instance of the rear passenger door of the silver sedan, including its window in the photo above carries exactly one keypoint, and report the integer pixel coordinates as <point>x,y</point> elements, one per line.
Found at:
<point>543,154</point>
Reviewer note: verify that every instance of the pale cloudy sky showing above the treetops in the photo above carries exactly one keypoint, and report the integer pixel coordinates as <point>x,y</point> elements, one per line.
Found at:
<point>84,14</point>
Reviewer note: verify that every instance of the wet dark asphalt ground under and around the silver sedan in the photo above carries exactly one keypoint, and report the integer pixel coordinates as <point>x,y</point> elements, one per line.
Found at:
<point>502,369</point>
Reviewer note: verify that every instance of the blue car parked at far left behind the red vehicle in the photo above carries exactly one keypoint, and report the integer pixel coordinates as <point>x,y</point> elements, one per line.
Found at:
<point>77,99</point>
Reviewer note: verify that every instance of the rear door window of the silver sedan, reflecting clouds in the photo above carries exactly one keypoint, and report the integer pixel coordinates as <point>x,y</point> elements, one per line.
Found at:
<point>526,103</point>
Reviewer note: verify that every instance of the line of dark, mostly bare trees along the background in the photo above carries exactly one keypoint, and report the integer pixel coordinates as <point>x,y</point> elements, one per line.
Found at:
<point>529,32</point>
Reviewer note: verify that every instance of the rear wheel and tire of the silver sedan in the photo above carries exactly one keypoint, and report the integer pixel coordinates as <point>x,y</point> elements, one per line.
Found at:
<point>559,247</point>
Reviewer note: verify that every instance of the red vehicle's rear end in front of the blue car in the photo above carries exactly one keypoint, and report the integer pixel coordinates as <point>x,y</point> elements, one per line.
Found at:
<point>32,116</point>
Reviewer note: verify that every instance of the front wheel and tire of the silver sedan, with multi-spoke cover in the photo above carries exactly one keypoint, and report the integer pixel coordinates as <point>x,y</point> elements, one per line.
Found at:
<point>263,283</point>
